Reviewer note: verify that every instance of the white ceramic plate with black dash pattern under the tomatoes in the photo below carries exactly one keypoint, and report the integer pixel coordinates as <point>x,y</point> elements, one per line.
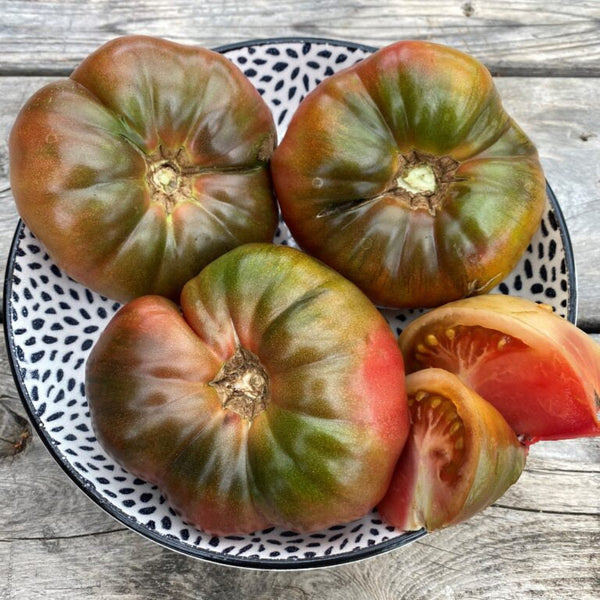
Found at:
<point>52,323</point>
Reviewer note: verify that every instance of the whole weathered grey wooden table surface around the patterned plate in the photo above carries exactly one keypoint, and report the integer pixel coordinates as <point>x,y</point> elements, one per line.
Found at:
<point>542,539</point>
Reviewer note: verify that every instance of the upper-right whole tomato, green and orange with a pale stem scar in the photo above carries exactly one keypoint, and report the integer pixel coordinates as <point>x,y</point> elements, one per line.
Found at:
<point>405,174</point>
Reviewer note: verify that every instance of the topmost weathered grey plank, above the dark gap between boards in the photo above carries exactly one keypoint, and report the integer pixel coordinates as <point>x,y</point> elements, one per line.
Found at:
<point>517,36</point>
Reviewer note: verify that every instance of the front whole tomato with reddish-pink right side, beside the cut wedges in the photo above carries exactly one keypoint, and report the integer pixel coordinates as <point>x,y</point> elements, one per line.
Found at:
<point>274,397</point>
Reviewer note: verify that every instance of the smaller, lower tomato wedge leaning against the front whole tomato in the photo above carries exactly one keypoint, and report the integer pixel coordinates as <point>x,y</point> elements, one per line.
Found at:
<point>460,456</point>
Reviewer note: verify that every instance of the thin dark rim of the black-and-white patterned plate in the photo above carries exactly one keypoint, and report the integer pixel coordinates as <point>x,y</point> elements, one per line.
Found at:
<point>90,490</point>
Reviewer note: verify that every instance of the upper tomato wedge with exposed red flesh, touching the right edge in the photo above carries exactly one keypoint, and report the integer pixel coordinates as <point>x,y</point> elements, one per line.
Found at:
<point>538,369</point>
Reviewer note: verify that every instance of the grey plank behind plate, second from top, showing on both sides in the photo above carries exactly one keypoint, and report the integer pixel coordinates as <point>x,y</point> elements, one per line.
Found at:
<point>561,116</point>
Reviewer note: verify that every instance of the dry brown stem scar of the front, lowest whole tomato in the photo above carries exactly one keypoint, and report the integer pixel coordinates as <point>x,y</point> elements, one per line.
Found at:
<point>242,384</point>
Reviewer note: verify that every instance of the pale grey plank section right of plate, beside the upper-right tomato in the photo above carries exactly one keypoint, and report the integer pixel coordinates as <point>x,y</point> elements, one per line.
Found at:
<point>559,117</point>
